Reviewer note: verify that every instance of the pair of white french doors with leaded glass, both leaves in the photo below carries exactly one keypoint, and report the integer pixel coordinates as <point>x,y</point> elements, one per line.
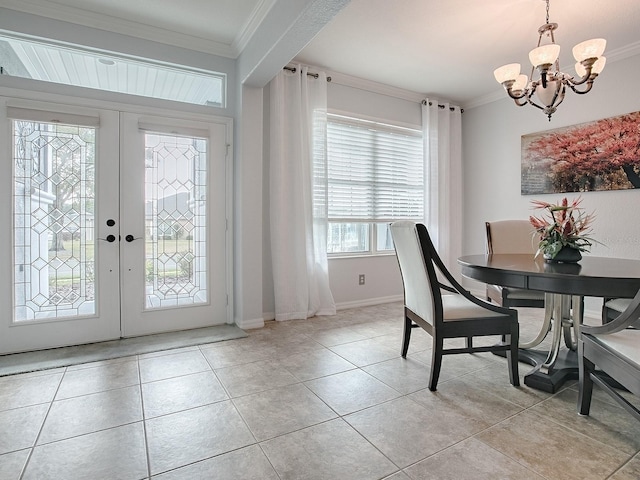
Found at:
<point>116,225</point>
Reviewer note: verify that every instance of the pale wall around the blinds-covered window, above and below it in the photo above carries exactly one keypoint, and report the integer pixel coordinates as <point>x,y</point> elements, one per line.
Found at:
<point>383,282</point>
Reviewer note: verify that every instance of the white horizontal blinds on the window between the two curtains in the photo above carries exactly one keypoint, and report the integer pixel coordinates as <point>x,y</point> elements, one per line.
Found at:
<point>376,171</point>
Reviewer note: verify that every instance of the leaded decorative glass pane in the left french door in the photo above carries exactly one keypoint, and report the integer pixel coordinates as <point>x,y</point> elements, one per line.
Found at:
<point>54,199</point>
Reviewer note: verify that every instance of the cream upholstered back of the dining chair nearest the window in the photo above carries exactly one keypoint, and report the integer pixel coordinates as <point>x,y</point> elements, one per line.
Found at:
<point>417,270</point>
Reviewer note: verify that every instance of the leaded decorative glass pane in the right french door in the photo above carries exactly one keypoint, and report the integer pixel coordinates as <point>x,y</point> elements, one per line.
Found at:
<point>175,220</point>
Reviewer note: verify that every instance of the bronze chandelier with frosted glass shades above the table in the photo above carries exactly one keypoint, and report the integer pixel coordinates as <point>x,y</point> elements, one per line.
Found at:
<point>550,88</point>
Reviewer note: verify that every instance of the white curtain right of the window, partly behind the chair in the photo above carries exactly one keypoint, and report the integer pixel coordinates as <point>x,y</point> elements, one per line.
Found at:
<point>442,132</point>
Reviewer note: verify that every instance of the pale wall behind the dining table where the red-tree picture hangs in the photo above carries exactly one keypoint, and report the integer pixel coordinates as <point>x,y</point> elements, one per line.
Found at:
<point>491,161</point>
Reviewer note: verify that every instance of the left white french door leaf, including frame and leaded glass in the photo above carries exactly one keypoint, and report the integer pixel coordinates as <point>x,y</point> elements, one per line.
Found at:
<point>62,281</point>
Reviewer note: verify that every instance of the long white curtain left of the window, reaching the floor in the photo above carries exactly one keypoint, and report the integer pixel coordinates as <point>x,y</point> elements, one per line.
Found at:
<point>298,195</point>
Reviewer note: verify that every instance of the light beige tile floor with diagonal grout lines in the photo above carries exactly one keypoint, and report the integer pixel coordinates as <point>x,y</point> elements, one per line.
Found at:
<point>325,398</point>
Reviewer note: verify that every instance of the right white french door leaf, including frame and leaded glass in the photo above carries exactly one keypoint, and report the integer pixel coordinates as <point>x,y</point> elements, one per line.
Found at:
<point>173,221</point>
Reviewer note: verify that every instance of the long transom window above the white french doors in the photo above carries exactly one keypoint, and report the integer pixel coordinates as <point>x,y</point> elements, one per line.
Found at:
<point>101,70</point>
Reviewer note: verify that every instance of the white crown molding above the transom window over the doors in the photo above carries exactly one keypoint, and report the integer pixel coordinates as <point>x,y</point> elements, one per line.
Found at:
<point>121,26</point>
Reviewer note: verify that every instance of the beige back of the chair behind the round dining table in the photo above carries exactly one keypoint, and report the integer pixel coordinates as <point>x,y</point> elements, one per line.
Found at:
<point>511,236</point>
